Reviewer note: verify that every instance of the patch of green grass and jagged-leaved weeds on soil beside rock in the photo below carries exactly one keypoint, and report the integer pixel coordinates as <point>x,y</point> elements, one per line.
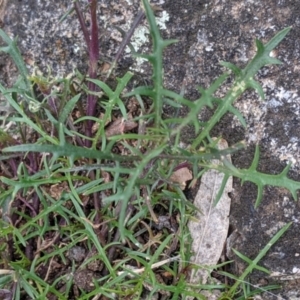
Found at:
<point>89,207</point>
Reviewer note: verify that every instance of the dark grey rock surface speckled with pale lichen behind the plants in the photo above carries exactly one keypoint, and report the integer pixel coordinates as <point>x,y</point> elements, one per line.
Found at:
<point>208,32</point>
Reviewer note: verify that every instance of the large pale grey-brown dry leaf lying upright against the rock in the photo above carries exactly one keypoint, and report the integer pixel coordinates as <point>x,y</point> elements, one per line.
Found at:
<point>209,232</point>
